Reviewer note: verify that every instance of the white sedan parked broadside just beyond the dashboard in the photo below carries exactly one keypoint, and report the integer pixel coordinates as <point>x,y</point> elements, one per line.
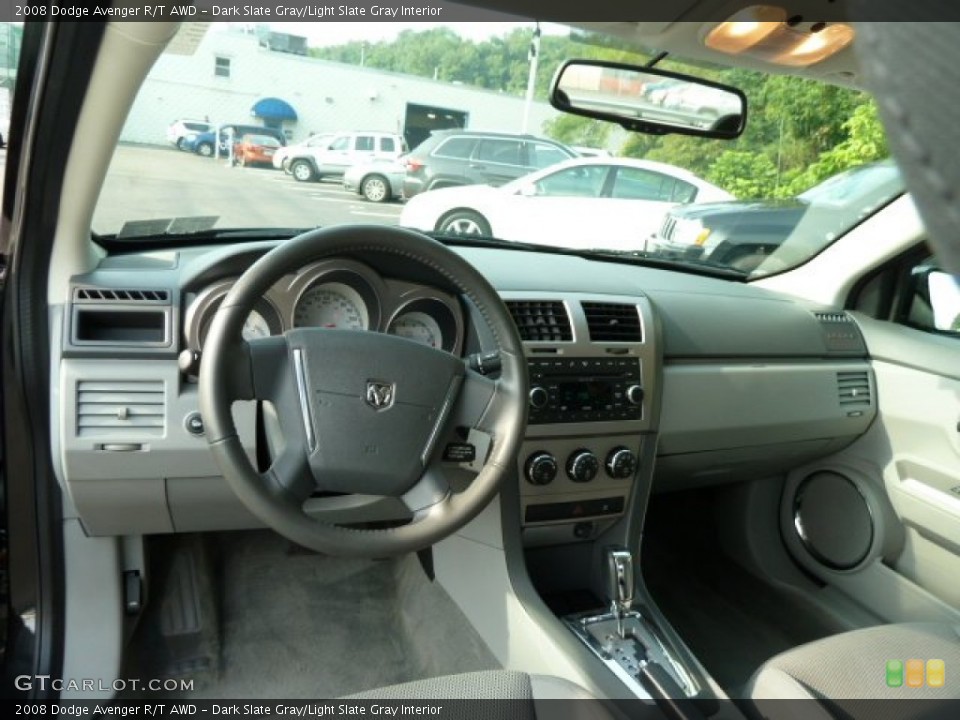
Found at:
<point>579,203</point>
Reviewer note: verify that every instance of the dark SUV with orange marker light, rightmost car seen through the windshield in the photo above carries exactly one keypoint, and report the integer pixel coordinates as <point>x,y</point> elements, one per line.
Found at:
<point>741,233</point>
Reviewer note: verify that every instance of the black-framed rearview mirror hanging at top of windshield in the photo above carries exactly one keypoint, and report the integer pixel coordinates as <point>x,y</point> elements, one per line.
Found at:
<point>649,100</point>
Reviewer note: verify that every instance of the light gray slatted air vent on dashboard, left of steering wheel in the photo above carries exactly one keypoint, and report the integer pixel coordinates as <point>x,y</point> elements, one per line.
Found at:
<point>130,408</point>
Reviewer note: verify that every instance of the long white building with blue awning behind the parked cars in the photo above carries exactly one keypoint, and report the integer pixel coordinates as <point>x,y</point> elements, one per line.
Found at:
<point>228,73</point>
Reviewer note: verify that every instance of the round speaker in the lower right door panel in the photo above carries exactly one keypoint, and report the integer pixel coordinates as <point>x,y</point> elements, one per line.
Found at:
<point>833,520</point>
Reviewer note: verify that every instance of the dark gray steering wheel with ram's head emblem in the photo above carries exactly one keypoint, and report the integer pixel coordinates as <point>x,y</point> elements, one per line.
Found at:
<point>362,412</point>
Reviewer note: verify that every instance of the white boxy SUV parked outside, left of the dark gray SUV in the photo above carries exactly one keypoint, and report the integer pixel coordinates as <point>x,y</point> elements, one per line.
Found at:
<point>343,151</point>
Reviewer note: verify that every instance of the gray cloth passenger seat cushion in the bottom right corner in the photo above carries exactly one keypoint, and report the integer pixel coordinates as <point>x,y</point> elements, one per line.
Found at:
<point>839,670</point>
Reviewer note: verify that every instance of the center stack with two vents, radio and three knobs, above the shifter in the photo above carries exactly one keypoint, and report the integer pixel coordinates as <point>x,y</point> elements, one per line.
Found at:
<point>592,363</point>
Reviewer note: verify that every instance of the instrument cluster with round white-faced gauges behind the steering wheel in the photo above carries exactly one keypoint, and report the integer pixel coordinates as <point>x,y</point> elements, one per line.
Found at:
<point>342,294</point>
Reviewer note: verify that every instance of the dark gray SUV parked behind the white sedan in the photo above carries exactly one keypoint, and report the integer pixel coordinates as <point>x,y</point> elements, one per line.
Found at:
<point>460,157</point>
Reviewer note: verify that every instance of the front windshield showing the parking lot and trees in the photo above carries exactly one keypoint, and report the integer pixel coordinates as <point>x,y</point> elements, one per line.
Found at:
<point>445,128</point>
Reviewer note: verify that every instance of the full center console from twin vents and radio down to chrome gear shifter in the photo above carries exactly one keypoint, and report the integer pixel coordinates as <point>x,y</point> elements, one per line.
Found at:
<point>584,476</point>
